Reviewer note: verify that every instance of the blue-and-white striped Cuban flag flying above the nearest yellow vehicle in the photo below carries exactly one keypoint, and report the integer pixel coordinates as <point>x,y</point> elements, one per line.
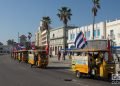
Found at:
<point>80,41</point>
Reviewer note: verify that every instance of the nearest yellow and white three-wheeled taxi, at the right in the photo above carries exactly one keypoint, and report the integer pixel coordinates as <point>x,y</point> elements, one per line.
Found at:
<point>91,62</point>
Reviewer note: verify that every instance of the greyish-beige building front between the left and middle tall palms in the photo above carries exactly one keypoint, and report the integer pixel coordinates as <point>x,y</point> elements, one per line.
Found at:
<point>56,40</point>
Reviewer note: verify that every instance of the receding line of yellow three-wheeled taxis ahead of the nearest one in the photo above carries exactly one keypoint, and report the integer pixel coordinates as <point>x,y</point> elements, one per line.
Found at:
<point>38,58</point>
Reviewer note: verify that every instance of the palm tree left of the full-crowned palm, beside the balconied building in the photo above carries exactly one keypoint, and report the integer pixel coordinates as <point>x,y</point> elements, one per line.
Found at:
<point>45,26</point>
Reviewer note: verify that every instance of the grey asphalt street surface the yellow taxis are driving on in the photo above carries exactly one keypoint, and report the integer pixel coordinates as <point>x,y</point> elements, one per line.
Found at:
<point>58,73</point>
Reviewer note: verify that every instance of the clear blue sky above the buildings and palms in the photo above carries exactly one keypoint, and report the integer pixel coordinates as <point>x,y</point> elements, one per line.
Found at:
<point>23,16</point>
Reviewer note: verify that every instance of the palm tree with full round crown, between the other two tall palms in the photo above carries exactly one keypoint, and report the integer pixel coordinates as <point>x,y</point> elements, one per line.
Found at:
<point>64,15</point>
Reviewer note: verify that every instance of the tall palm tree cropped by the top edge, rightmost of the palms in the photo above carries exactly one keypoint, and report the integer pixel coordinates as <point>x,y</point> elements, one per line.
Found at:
<point>96,6</point>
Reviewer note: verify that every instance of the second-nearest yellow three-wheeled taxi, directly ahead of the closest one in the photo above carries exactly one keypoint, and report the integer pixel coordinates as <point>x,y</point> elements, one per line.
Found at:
<point>38,58</point>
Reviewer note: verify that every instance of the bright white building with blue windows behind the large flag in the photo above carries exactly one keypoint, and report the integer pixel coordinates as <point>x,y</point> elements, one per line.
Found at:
<point>99,33</point>
